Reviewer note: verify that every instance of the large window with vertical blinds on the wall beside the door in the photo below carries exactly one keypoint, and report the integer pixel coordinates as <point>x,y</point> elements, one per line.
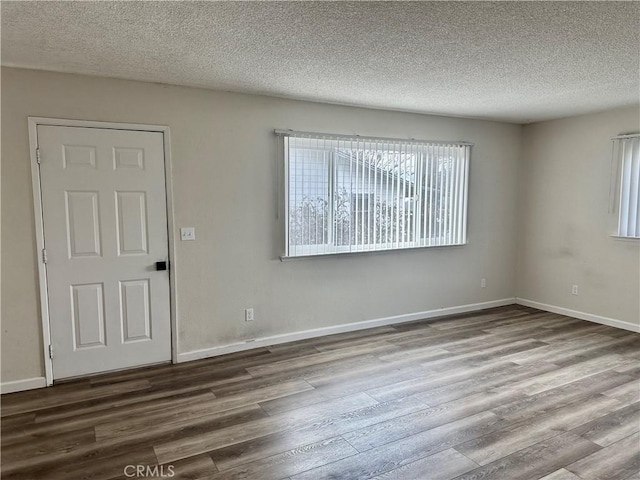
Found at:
<point>353,194</point>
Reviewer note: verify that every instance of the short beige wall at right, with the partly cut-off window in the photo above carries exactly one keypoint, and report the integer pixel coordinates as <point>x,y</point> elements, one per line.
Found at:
<point>565,224</point>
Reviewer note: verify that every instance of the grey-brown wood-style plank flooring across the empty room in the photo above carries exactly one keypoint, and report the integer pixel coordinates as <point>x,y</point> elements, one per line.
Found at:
<point>506,393</point>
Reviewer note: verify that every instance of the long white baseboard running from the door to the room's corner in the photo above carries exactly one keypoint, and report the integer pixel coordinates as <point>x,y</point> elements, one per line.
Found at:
<point>348,327</point>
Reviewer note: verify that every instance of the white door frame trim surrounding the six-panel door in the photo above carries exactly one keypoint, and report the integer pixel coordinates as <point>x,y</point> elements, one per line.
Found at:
<point>39,223</point>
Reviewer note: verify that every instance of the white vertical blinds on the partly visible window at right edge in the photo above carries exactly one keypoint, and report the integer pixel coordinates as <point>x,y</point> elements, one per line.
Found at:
<point>626,154</point>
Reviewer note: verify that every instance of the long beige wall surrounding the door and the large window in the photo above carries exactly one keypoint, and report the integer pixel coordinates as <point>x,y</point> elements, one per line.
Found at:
<point>224,164</point>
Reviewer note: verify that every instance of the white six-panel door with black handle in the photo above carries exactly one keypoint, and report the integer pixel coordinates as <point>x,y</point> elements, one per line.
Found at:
<point>105,227</point>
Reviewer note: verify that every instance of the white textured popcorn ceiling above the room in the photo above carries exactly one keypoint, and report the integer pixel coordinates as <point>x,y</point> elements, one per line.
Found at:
<point>512,61</point>
